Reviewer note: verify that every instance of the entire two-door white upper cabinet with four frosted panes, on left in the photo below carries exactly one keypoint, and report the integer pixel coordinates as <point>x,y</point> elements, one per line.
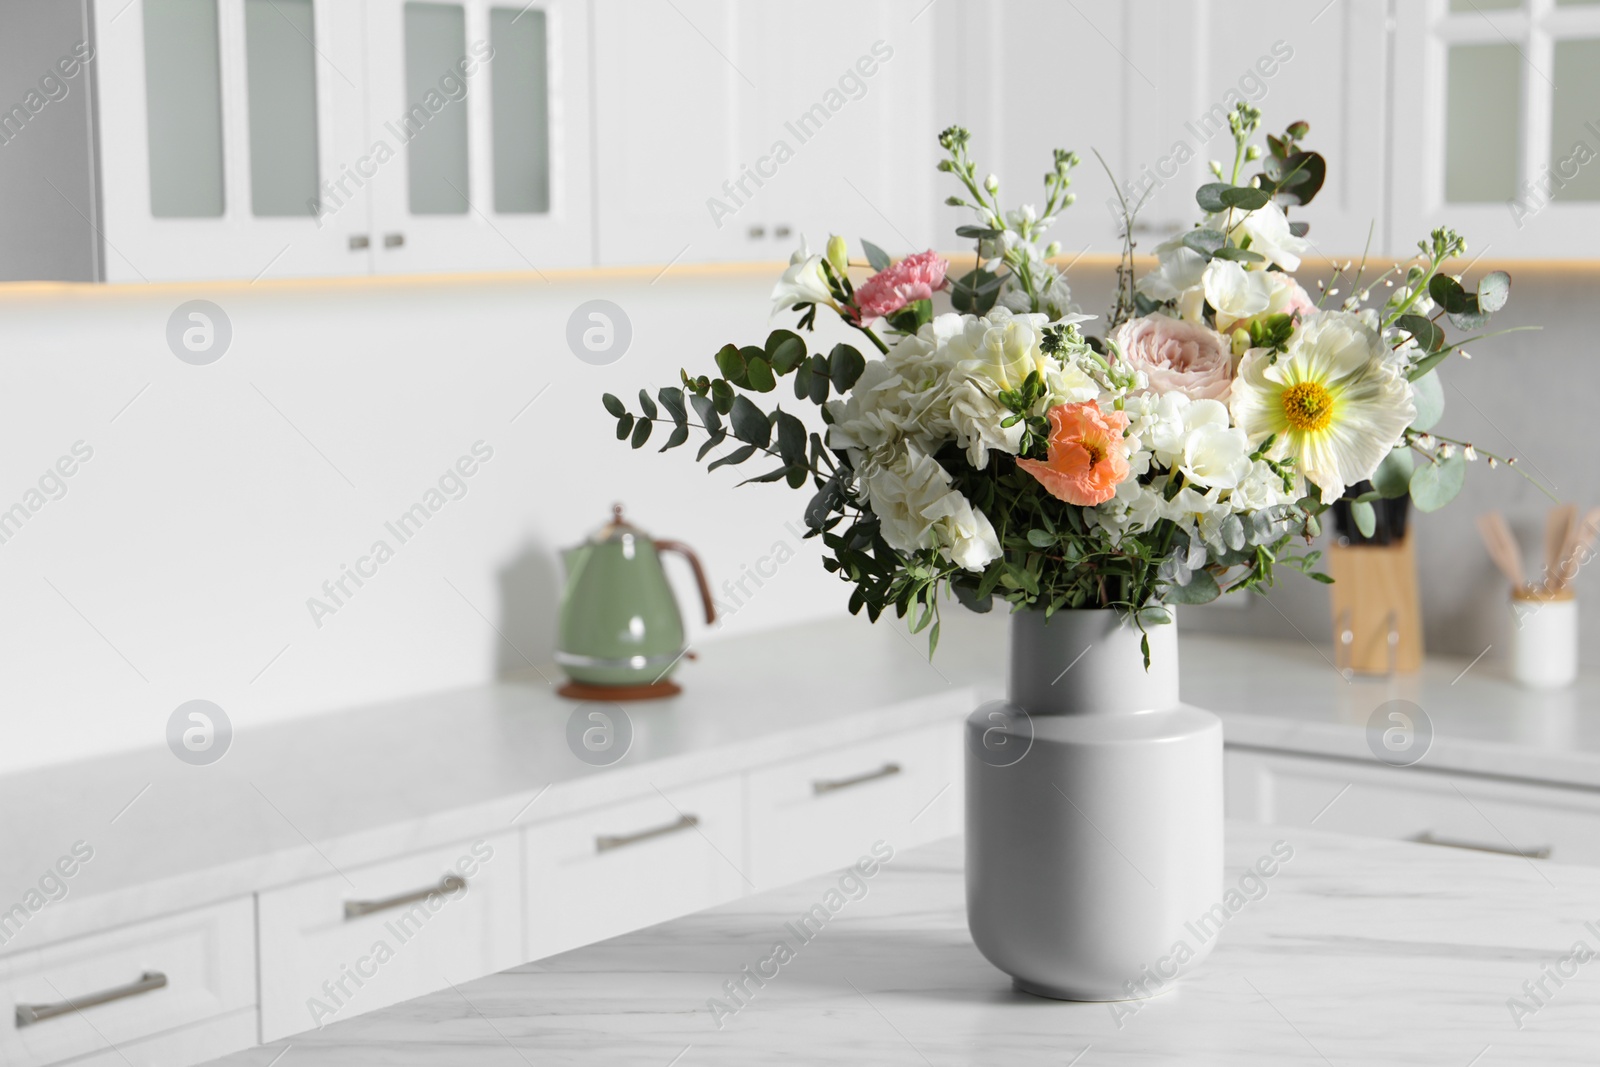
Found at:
<point>300,138</point>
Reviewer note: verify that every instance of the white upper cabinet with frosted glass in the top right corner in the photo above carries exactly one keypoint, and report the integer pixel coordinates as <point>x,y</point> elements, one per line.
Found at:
<point>1498,126</point>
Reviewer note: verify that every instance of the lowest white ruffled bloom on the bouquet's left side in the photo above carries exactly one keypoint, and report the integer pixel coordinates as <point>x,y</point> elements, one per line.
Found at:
<point>918,510</point>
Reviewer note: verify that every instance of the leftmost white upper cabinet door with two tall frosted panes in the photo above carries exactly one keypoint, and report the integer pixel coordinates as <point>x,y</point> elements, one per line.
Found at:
<point>228,132</point>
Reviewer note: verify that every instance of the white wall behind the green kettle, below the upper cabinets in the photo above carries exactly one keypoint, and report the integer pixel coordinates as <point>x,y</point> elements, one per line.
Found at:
<point>180,561</point>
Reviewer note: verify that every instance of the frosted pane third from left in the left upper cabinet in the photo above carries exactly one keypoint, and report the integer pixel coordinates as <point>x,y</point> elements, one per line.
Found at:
<point>436,41</point>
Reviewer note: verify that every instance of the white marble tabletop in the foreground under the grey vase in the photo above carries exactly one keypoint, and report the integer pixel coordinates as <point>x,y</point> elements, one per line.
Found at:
<point>1353,953</point>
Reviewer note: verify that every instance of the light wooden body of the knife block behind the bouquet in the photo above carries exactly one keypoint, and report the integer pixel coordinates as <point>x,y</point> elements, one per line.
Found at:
<point>1377,613</point>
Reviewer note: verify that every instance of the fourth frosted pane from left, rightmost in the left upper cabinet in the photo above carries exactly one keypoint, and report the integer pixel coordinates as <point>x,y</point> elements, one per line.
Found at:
<point>521,103</point>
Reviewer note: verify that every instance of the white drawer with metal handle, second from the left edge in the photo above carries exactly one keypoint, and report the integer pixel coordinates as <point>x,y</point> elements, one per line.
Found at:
<point>374,937</point>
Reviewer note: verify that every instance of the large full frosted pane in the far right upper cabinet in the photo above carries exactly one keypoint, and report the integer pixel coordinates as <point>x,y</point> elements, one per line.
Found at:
<point>1482,124</point>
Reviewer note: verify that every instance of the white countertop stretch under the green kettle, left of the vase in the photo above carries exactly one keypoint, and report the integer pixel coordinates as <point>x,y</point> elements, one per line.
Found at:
<point>302,799</point>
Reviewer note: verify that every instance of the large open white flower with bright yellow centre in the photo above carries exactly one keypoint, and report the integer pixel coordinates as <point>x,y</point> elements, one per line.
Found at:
<point>1334,401</point>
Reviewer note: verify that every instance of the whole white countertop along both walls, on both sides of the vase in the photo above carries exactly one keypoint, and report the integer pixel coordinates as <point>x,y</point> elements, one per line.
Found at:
<point>350,788</point>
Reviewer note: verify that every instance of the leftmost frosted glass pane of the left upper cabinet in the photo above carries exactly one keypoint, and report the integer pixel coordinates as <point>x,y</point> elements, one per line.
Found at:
<point>185,103</point>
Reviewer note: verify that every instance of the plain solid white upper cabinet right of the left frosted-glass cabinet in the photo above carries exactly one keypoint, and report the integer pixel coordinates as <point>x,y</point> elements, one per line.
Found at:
<point>802,127</point>
